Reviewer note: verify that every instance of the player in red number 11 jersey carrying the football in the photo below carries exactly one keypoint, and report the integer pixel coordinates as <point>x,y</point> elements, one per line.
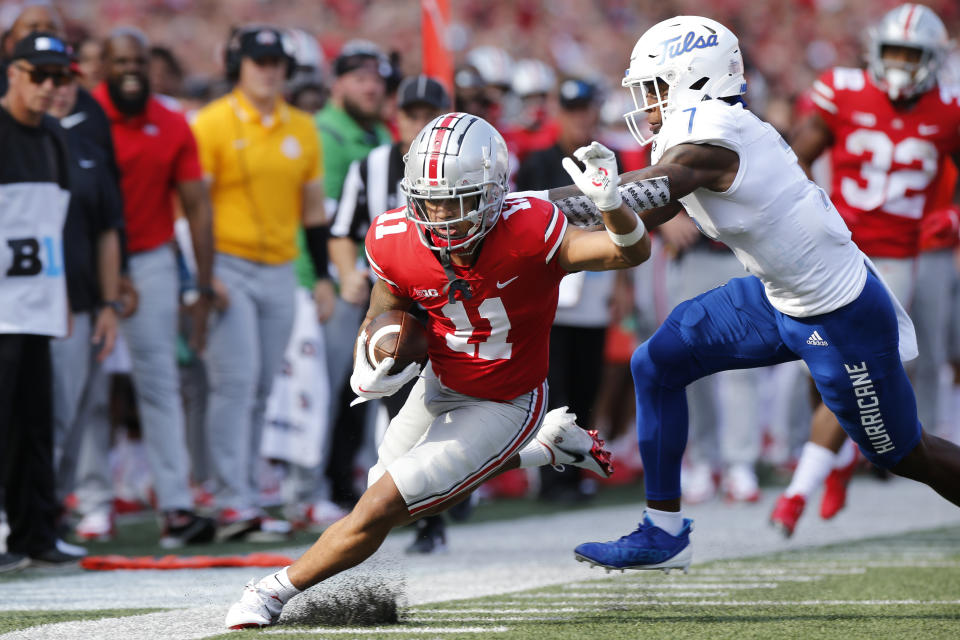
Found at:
<point>487,268</point>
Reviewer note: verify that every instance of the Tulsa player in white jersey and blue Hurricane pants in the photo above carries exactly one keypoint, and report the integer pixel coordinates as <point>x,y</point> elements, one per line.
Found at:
<point>812,295</point>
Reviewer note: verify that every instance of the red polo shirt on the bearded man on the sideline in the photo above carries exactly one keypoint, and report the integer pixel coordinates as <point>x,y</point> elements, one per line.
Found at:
<point>155,151</point>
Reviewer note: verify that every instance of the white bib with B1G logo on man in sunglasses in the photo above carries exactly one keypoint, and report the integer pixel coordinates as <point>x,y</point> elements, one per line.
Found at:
<point>33,290</point>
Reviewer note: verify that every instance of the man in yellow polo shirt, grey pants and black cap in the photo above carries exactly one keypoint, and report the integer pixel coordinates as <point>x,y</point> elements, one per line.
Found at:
<point>262,158</point>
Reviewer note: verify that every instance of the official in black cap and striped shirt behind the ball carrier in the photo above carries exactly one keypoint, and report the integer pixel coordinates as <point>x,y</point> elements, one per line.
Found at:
<point>370,188</point>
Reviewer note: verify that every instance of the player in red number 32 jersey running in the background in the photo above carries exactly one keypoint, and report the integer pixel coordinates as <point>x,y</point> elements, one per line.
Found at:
<point>887,129</point>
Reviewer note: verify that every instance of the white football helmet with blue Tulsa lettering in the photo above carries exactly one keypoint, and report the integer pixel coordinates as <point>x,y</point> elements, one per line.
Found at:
<point>697,58</point>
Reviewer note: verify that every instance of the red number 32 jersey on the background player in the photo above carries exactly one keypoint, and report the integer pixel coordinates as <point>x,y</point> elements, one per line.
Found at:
<point>885,161</point>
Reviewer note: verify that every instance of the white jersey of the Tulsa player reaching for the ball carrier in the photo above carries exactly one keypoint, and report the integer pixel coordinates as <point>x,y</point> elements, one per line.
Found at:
<point>780,225</point>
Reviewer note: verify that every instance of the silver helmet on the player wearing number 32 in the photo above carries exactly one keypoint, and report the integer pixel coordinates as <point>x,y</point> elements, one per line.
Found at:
<point>916,27</point>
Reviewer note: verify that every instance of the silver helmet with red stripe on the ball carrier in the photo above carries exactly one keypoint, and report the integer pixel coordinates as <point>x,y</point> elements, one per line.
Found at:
<point>461,157</point>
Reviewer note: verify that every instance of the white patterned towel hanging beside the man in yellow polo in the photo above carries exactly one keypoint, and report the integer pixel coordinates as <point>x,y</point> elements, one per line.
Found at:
<point>297,414</point>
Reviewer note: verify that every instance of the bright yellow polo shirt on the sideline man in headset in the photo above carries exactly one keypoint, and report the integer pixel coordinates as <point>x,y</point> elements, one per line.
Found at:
<point>258,167</point>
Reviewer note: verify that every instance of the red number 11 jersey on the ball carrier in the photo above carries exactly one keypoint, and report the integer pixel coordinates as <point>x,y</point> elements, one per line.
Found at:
<point>496,344</point>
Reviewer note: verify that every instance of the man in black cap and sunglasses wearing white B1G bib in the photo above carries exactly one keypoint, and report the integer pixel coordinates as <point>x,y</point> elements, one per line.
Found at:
<point>33,298</point>
